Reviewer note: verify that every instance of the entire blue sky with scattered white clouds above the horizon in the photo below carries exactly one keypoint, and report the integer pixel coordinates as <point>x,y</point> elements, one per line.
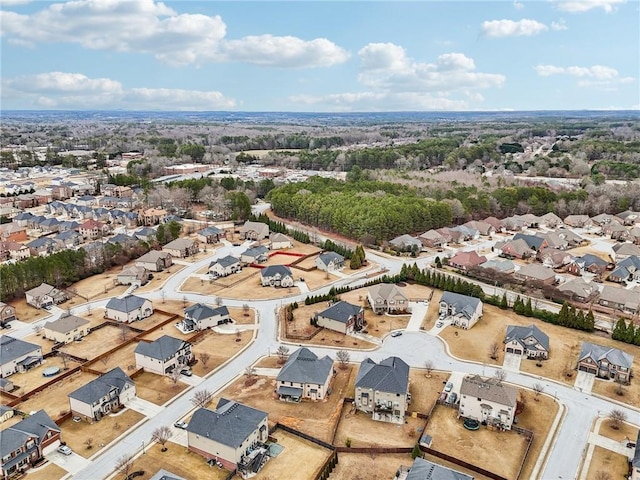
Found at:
<point>329,56</point>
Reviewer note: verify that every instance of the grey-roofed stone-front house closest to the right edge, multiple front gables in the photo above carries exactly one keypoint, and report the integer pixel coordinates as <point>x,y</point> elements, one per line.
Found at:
<point>605,362</point>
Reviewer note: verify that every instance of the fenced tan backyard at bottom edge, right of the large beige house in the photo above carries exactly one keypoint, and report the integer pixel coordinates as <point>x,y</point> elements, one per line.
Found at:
<point>289,460</point>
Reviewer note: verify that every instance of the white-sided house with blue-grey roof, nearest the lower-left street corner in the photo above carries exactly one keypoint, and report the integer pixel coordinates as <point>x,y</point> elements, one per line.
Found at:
<point>103,395</point>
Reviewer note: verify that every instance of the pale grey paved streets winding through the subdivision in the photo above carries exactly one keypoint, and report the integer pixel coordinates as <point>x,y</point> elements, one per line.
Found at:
<point>414,347</point>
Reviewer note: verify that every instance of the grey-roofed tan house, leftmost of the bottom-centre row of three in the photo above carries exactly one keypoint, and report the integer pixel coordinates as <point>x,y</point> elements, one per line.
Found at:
<point>304,376</point>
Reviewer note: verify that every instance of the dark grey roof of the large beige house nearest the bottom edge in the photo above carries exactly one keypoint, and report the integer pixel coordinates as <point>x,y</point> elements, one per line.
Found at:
<point>229,424</point>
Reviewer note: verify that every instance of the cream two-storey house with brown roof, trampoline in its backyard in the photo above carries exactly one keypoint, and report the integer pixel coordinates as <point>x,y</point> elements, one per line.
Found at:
<point>488,400</point>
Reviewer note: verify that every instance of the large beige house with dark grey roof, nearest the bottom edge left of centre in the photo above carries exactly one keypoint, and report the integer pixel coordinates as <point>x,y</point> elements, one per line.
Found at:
<point>228,434</point>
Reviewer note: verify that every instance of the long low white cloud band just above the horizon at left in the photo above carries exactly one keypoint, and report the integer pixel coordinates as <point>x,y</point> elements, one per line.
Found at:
<point>75,90</point>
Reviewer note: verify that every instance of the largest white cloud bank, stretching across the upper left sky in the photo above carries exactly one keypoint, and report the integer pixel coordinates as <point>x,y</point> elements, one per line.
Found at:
<point>147,26</point>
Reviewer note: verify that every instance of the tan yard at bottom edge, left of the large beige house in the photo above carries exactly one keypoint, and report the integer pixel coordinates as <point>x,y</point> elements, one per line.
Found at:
<point>177,460</point>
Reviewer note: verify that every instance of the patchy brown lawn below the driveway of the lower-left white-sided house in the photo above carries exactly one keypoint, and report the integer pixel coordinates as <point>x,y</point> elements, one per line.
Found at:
<point>102,432</point>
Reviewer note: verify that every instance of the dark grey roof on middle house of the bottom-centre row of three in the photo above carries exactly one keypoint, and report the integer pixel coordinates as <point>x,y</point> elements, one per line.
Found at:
<point>390,375</point>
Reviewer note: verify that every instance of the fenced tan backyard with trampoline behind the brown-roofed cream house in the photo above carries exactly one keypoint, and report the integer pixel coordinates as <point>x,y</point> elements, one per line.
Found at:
<point>483,446</point>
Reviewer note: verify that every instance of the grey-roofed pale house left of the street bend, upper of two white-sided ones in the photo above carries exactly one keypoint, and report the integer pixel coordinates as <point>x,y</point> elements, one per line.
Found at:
<point>163,355</point>
